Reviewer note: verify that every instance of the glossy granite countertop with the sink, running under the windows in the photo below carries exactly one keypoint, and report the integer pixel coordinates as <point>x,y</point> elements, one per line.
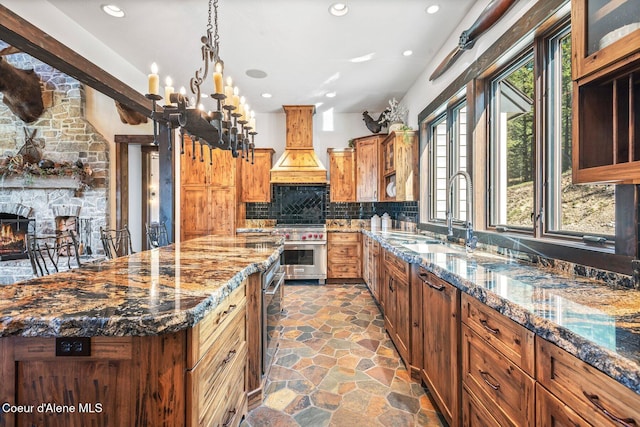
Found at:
<point>596,322</point>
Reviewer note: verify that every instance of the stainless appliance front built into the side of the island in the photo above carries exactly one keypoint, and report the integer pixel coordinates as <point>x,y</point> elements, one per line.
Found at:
<point>272,299</point>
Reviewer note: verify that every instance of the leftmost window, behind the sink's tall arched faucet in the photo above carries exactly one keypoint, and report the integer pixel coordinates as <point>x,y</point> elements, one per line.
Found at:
<point>447,154</point>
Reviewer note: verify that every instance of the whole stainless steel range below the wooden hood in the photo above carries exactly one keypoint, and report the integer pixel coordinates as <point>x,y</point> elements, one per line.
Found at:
<point>305,252</point>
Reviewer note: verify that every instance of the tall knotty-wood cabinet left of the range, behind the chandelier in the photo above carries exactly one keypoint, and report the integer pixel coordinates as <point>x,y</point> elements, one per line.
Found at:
<point>208,192</point>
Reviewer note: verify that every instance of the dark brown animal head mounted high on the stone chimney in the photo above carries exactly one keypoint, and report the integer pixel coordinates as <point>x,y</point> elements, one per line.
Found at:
<point>21,91</point>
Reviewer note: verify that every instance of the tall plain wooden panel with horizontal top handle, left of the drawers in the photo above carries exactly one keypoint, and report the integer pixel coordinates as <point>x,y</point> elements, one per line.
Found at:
<point>441,343</point>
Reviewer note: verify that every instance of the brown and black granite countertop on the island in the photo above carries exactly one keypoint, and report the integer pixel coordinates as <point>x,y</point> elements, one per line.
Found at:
<point>148,293</point>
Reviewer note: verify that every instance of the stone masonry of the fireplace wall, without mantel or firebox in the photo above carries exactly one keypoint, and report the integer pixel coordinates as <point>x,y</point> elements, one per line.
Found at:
<point>64,135</point>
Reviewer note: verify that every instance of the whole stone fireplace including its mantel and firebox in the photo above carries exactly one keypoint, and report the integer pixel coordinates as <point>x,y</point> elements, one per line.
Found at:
<point>53,199</point>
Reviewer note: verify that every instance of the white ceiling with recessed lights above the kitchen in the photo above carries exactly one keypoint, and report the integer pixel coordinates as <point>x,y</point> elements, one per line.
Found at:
<point>304,50</point>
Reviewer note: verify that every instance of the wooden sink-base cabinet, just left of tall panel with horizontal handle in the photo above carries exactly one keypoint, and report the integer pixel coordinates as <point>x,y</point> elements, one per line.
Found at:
<point>397,317</point>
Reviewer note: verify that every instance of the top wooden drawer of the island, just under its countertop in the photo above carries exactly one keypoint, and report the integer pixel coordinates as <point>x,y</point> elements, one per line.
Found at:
<point>202,336</point>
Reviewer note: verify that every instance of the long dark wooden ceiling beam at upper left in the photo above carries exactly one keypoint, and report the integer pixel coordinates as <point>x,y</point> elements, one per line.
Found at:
<point>23,35</point>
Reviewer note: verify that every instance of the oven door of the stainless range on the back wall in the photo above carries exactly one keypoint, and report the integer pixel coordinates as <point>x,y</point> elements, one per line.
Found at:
<point>305,261</point>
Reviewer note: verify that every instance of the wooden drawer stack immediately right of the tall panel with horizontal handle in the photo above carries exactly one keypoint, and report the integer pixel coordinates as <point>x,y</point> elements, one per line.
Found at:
<point>495,354</point>
